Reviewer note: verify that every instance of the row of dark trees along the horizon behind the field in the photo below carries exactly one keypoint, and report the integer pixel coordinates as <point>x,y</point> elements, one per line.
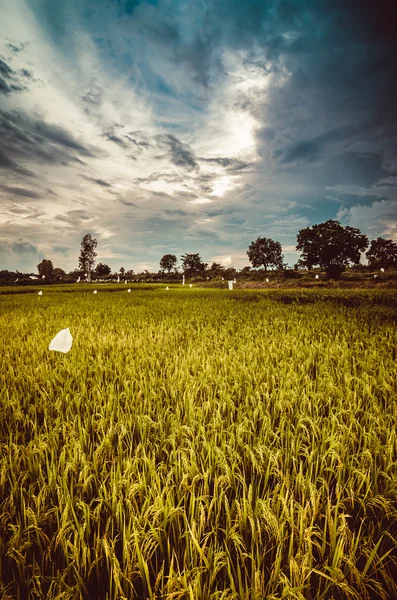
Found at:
<point>328,245</point>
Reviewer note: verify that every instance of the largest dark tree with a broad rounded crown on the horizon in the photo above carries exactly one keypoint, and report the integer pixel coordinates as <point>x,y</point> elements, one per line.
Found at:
<point>331,246</point>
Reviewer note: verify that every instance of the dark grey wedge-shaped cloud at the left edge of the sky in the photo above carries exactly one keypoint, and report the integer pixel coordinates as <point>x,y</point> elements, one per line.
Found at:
<point>27,140</point>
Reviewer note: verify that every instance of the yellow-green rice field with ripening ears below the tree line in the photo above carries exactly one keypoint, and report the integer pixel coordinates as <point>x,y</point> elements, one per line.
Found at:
<point>198,445</point>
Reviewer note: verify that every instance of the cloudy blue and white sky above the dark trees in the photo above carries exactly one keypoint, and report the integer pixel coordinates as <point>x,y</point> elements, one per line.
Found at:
<point>176,126</point>
